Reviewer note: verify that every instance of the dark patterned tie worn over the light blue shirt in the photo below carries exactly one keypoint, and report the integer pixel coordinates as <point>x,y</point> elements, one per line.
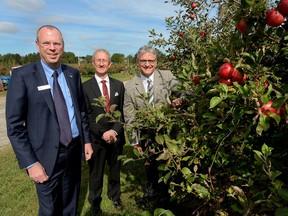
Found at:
<point>62,112</point>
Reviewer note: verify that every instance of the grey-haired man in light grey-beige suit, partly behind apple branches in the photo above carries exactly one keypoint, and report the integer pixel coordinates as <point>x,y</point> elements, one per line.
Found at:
<point>157,85</point>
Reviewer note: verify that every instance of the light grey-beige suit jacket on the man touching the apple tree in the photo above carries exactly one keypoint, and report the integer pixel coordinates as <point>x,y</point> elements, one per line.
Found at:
<point>134,99</point>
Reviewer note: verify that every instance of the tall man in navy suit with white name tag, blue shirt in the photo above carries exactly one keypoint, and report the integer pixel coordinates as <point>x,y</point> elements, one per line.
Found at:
<point>36,129</point>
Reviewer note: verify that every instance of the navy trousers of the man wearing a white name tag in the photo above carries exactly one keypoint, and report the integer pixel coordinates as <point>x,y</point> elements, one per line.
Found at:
<point>59,195</point>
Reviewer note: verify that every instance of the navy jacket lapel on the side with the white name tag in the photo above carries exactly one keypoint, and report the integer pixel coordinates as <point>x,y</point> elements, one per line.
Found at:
<point>41,80</point>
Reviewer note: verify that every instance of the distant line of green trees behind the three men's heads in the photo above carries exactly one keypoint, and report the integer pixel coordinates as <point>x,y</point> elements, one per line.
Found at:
<point>121,63</point>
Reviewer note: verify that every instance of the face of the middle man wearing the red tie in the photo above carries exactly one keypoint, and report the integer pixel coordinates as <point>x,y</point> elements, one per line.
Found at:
<point>101,63</point>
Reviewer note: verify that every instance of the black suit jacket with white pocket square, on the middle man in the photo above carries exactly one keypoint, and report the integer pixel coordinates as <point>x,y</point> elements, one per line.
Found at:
<point>91,91</point>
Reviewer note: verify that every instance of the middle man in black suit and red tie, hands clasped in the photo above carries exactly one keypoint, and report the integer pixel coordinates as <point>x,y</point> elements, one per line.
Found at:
<point>107,134</point>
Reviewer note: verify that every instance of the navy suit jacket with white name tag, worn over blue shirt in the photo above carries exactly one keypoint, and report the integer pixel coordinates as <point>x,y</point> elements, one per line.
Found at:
<point>32,124</point>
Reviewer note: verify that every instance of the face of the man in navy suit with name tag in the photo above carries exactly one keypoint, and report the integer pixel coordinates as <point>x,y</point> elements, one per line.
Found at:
<point>50,46</point>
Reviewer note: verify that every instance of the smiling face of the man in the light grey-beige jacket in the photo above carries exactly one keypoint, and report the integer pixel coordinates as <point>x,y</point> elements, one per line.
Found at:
<point>147,63</point>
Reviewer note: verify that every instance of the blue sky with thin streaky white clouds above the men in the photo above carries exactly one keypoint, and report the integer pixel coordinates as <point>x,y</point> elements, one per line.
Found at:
<point>120,26</point>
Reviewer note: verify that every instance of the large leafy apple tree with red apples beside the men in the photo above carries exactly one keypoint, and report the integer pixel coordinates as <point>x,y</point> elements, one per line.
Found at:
<point>225,150</point>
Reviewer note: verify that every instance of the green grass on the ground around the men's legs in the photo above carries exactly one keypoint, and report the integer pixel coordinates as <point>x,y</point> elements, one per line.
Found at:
<point>18,193</point>
